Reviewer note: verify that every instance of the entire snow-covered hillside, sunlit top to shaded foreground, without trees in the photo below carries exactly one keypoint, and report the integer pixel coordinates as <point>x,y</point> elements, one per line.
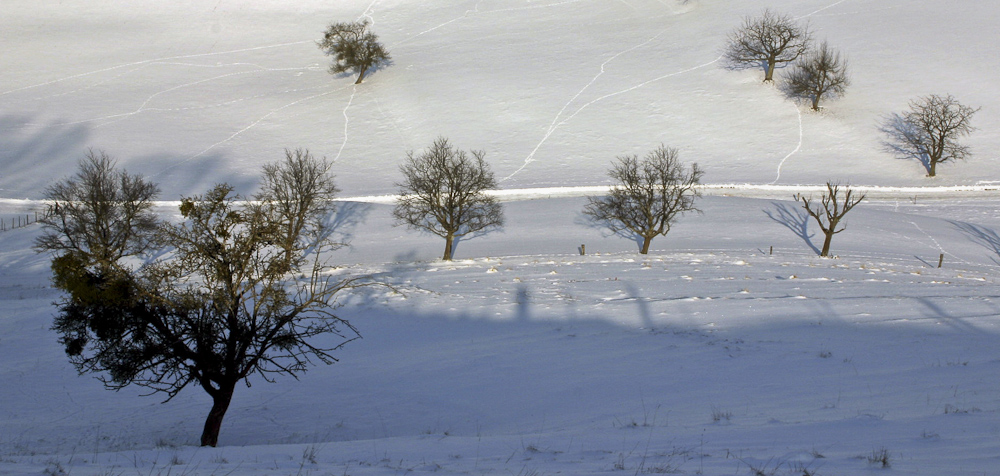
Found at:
<point>711,355</point>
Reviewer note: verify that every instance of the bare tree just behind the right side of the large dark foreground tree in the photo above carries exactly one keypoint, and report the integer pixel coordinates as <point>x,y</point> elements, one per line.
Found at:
<point>299,193</point>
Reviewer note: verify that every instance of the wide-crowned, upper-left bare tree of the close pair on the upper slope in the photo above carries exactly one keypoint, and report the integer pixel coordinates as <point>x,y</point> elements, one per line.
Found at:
<point>770,39</point>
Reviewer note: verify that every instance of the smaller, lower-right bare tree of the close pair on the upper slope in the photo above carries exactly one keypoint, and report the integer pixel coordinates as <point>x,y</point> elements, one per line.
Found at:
<point>822,73</point>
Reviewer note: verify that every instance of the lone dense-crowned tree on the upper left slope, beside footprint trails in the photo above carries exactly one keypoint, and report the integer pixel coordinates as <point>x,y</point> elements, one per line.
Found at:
<point>353,47</point>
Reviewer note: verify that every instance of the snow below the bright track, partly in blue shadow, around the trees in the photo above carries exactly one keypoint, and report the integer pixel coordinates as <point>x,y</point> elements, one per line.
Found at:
<point>711,355</point>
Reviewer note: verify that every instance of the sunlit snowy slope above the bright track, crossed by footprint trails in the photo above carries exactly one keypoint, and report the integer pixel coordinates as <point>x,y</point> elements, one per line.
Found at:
<point>193,93</point>
